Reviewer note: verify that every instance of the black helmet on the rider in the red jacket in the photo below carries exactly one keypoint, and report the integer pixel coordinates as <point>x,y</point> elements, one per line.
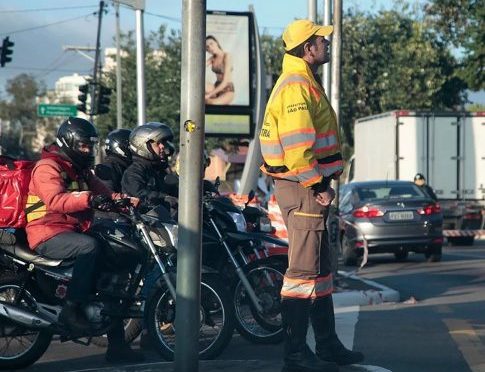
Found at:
<point>77,139</point>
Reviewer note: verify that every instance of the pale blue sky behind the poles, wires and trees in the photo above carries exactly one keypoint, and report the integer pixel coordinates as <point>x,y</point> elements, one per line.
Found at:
<point>41,29</point>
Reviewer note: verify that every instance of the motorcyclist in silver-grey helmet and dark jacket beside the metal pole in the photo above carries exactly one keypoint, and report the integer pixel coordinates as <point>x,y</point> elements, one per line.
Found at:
<point>151,148</point>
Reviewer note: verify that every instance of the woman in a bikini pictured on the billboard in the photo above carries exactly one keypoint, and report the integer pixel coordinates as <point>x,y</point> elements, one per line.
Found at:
<point>221,92</point>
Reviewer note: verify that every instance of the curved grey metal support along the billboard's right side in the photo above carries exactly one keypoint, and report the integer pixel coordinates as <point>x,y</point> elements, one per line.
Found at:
<point>249,178</point>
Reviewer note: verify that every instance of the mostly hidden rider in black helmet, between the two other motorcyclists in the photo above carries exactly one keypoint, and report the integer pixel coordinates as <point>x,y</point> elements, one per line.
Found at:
<point>118,158</point>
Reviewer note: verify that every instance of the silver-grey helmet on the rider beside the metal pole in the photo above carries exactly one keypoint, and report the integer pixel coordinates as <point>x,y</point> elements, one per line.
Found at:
<point>142,137</point>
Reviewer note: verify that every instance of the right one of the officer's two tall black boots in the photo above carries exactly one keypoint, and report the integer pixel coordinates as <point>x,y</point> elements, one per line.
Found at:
<point>328,346</point>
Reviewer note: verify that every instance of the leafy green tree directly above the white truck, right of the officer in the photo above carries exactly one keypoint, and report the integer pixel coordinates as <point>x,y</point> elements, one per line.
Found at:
<point>392,61</point>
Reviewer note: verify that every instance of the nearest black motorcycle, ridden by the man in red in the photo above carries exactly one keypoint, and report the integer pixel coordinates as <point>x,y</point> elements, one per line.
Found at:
<point>33,288</point>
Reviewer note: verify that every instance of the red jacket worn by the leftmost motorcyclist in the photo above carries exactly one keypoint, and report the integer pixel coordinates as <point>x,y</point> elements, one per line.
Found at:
<point>65,210</point>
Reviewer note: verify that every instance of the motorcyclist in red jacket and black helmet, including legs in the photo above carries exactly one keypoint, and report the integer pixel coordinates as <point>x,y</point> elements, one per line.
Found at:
<point>63,192</point>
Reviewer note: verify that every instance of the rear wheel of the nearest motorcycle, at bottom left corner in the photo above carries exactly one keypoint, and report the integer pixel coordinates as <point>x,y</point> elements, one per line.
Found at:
<point>37,345</point>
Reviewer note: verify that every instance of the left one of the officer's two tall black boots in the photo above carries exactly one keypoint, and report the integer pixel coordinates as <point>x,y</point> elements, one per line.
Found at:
<point>298,356</point>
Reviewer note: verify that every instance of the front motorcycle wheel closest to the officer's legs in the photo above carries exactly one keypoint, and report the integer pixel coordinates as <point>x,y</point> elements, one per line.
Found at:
<point>259,328</point>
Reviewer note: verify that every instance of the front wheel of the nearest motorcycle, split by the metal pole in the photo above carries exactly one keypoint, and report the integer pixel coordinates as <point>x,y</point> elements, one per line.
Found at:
<point>217,319</point>
